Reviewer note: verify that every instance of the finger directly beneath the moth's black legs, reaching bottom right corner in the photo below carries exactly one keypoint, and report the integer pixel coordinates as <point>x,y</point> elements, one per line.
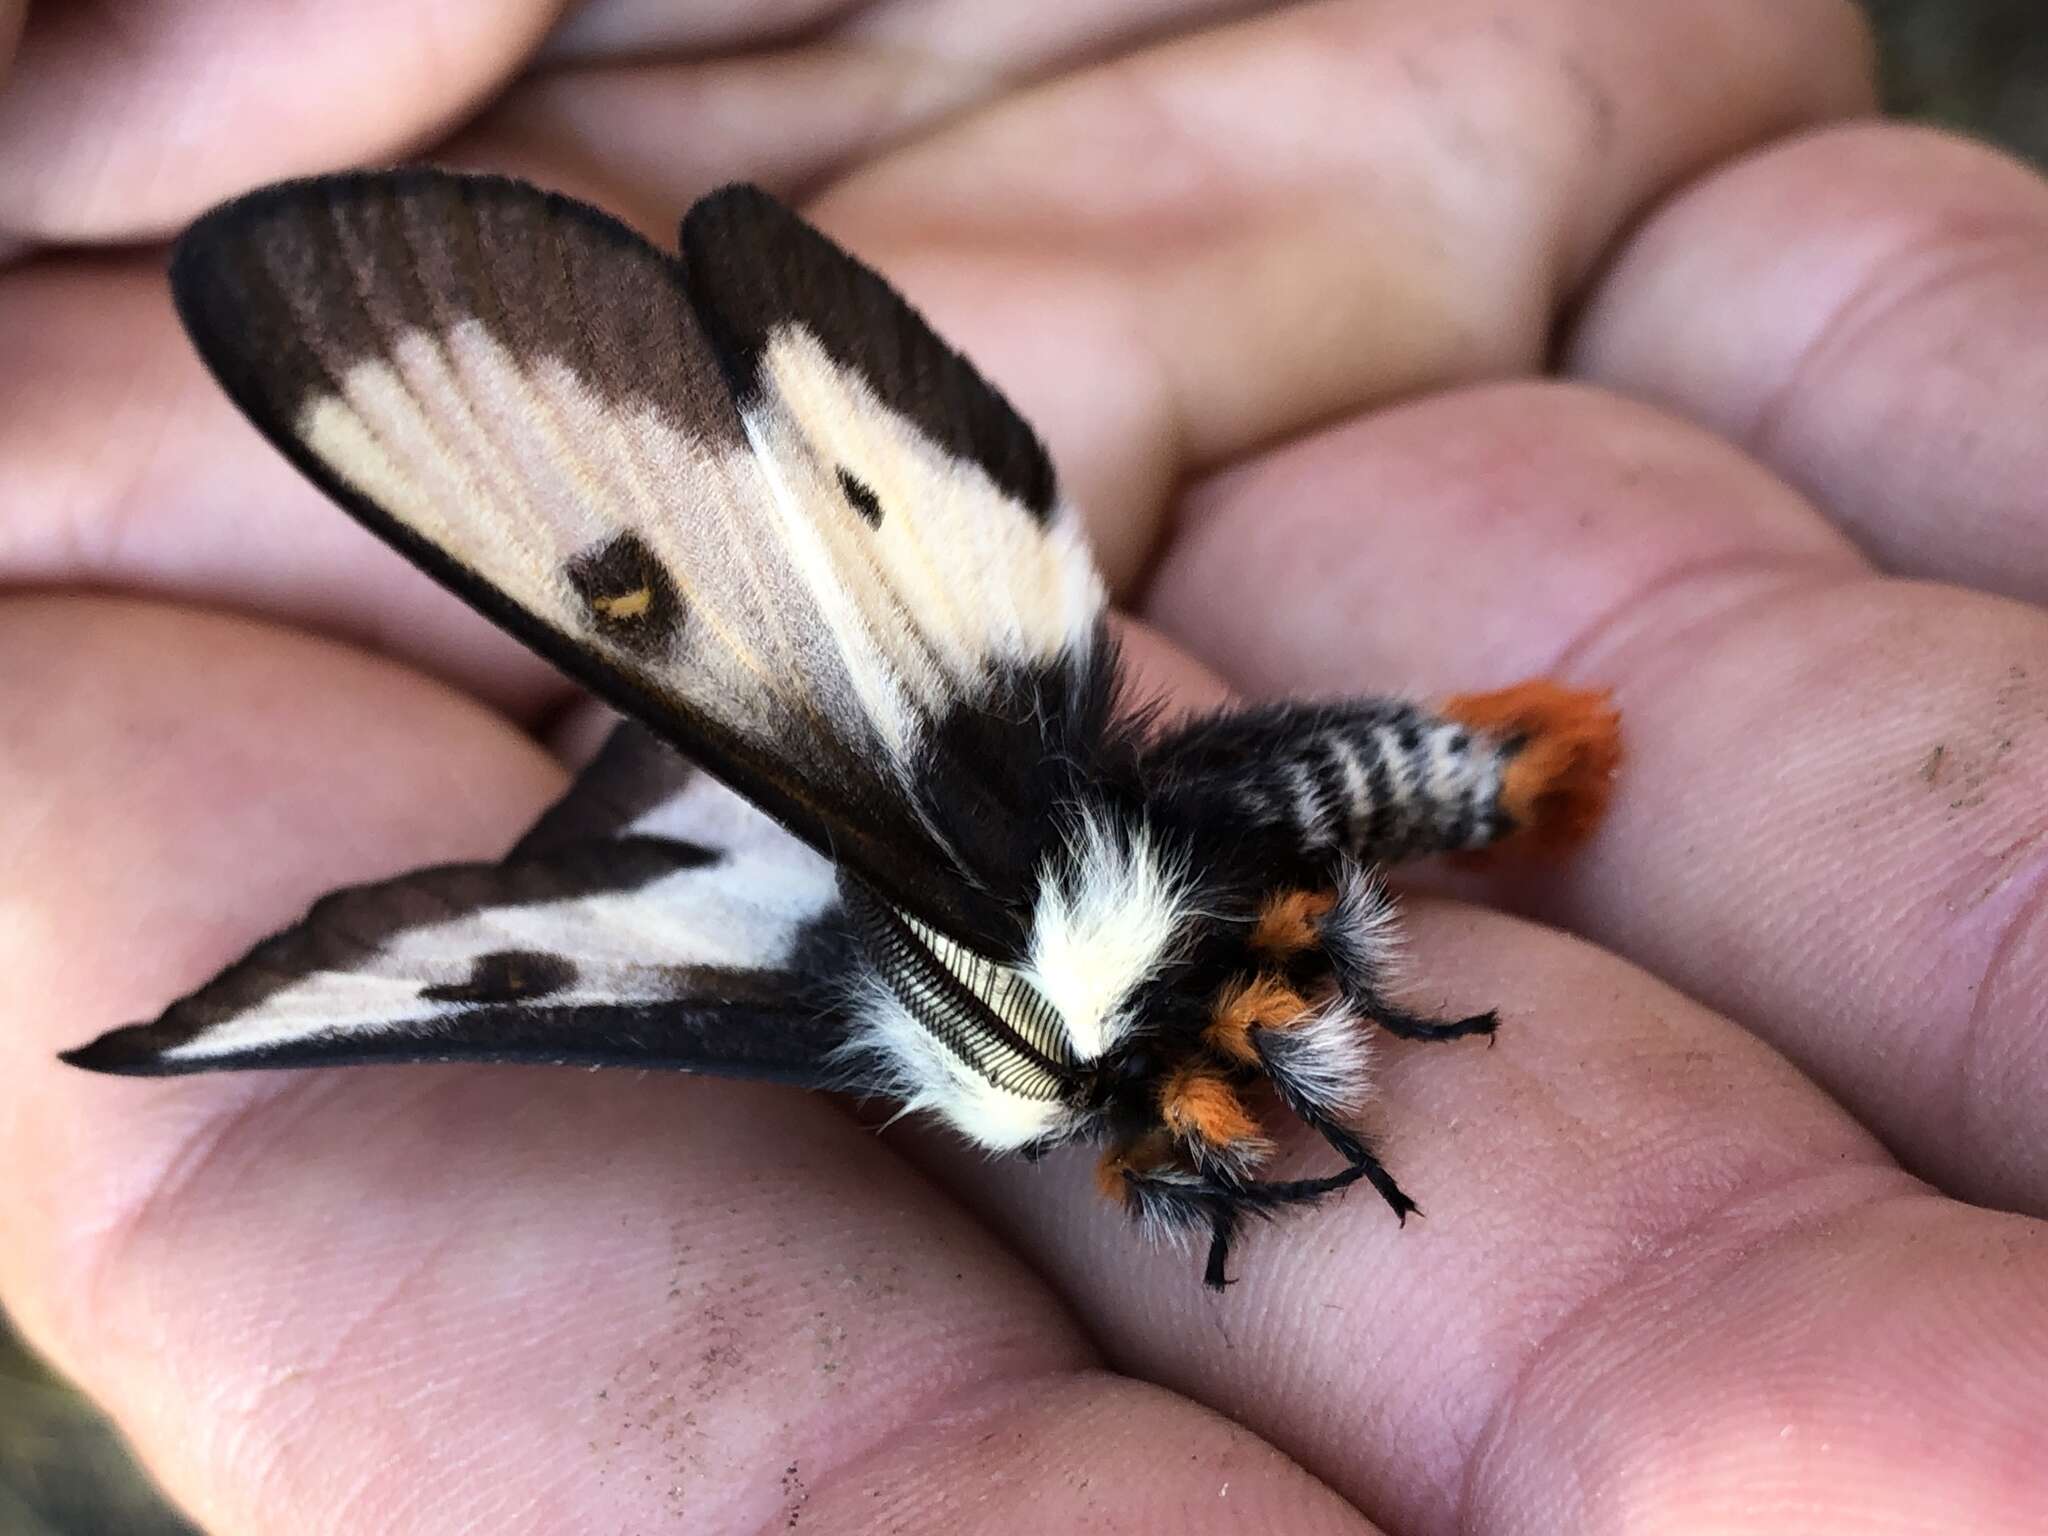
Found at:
<point>1646,1295</point>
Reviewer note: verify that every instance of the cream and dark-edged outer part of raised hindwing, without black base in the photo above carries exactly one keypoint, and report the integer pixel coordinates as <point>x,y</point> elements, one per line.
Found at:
<point>959,546</point>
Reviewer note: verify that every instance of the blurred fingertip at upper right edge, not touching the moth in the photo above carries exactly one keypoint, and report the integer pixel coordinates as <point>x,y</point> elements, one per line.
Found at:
<point>1875,327</point>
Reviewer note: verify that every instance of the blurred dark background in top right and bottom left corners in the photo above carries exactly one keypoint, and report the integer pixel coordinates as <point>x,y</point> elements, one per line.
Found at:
<point>1973,65</point>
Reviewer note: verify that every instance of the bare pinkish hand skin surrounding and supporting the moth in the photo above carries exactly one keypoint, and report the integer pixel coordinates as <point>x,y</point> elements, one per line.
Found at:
<point>1273,290</point>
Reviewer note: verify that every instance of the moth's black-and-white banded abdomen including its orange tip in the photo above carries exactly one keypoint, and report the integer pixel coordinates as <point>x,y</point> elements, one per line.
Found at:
<point>1381,779</point>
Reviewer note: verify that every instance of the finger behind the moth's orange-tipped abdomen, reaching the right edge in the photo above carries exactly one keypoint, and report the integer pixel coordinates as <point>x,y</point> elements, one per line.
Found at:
<point>1830,816</point>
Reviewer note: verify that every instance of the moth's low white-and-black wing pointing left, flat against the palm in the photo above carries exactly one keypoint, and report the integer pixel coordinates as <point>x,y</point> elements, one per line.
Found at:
<point>650,921</point>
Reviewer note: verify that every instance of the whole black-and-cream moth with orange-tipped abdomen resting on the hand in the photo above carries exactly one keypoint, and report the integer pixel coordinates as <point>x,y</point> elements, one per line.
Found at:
<point>880,816</point>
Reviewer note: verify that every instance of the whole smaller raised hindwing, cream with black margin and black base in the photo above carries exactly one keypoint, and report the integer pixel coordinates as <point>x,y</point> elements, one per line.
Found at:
<point>964,560</point>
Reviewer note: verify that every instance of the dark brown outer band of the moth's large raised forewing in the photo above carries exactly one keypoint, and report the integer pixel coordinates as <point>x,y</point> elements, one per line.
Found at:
<point>546,275</point>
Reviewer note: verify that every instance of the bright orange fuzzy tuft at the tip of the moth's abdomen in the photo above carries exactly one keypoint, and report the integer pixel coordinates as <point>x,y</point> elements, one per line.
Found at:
<point>1558,783</point>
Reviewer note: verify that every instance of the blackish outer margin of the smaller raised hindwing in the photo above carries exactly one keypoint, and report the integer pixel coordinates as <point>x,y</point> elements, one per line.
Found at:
<point>753,267</point>
